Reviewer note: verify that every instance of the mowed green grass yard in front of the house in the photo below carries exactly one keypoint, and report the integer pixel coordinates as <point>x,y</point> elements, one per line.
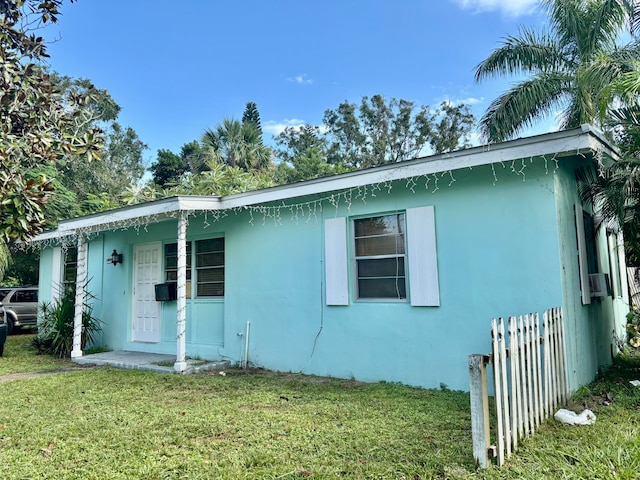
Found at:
<point>108,424</point>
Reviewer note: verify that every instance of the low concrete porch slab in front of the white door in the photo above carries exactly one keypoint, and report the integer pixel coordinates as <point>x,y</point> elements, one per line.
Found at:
<point>155,362</point>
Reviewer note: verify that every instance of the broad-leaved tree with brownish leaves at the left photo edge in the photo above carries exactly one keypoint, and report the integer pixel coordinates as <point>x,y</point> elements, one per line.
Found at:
<point>37,127</point>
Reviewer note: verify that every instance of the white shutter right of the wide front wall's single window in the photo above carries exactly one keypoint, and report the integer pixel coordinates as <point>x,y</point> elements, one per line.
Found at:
<point>423,257</point>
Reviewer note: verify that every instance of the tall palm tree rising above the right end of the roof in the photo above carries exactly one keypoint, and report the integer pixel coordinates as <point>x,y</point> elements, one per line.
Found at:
<point>566,67</point>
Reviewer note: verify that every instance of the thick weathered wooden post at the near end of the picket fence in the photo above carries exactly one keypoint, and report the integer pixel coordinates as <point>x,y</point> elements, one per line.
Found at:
<point>479,409</point>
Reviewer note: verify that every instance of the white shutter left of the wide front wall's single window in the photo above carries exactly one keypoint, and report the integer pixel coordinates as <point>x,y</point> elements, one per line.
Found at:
<point>335,261</point>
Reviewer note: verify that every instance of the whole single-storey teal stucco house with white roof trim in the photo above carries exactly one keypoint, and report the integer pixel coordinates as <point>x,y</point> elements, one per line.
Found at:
<point>390,273</point>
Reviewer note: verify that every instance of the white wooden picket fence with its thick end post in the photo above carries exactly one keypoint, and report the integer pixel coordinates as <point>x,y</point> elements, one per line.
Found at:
<point>529,380</point>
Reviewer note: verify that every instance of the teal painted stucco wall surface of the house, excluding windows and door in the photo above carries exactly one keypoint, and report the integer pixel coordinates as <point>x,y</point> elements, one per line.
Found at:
<point>504,246</point>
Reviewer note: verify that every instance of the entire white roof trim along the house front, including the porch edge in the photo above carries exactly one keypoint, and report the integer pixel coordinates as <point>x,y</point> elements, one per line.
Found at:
<point>577,140</point>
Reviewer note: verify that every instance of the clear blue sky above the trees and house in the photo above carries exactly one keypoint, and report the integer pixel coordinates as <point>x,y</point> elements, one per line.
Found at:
<point>177,68</point>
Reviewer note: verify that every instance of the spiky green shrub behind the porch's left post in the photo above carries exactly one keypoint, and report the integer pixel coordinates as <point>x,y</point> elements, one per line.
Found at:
<point>55,328</point>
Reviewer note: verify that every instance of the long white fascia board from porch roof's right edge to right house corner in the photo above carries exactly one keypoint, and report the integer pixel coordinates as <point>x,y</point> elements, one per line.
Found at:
<point>578,141</point>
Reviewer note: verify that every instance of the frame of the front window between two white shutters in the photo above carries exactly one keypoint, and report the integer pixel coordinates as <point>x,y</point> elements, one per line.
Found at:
<point>355,258</point>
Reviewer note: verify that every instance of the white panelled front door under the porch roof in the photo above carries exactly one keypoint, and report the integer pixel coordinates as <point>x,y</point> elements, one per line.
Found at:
<point>146,311</point>
